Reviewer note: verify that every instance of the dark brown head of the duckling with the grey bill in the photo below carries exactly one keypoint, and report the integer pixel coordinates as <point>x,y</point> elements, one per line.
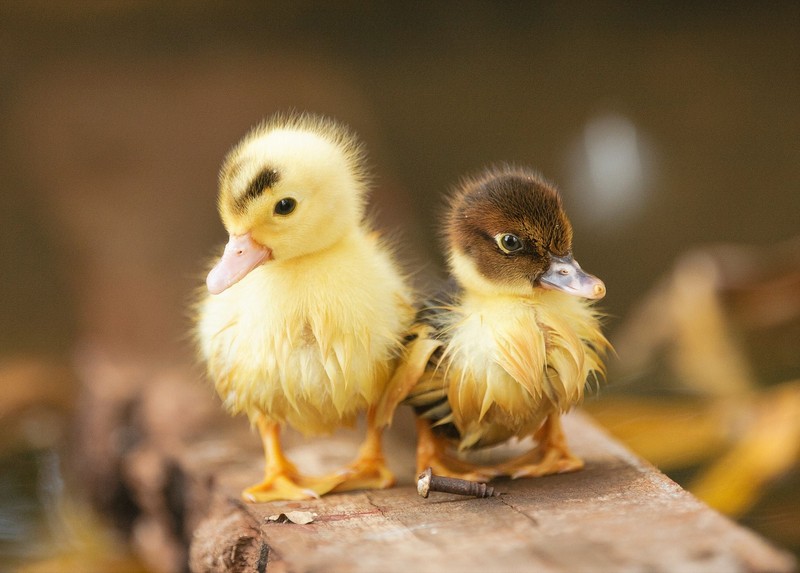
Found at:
<point>507,233</point>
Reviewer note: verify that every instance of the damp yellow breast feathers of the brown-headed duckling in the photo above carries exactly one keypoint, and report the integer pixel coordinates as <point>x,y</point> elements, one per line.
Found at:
<point>510,362</point>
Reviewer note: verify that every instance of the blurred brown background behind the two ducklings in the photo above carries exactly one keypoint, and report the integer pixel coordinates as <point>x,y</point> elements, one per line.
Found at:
<point>672,130</point>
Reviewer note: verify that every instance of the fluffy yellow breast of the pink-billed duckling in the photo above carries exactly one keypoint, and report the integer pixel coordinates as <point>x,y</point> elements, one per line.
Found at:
<point>305,346</point>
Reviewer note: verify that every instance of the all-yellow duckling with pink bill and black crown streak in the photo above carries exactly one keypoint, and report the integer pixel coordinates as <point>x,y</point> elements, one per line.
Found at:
<point>305,313</point>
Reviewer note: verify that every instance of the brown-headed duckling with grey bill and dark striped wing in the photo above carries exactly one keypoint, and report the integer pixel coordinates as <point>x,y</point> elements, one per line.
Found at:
<point>512,349</point>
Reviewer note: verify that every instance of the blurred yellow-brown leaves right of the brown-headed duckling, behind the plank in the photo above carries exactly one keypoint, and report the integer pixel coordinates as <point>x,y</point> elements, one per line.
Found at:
<point>741,428</point>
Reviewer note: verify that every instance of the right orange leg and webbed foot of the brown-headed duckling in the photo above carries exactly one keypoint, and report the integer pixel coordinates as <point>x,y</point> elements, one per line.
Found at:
<point>550,456</point>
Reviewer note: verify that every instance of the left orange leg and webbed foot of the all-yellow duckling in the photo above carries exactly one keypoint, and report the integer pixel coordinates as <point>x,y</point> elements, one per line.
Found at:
<point>281,478</point>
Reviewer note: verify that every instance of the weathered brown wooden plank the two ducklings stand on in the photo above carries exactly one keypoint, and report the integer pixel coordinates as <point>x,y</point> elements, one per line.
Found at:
<point>181,465</point>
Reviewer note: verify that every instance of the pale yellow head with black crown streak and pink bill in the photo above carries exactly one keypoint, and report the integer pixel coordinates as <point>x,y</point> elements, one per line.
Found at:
<point>294,185</point>
